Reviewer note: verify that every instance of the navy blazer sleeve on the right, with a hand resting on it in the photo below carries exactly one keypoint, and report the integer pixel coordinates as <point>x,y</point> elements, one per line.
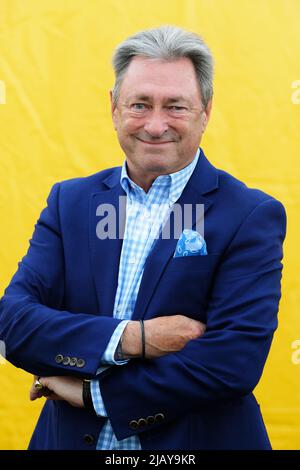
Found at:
<point>227,362</point>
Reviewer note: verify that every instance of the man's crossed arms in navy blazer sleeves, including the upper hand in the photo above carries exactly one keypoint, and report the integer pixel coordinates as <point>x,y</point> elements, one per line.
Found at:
<point>227,361</point>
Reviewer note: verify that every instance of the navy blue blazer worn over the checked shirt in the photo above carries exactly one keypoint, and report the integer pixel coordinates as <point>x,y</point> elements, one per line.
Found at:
<point>60,302</point>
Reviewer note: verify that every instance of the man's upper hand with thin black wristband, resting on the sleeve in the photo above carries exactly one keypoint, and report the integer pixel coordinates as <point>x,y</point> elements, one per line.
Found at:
<point>163,335</point>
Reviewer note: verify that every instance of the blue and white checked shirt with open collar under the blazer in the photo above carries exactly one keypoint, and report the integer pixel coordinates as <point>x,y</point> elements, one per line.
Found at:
<point>145,214</point>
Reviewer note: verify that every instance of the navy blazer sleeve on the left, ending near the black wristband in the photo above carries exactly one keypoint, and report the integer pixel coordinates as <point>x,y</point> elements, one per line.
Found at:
<point>38,333</point>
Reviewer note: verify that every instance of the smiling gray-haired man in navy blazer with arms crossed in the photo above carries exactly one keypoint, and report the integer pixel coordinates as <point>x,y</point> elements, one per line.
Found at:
<point>171,334</point>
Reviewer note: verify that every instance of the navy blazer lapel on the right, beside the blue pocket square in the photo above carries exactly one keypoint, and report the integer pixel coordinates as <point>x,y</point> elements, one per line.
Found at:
<point>203,180</point>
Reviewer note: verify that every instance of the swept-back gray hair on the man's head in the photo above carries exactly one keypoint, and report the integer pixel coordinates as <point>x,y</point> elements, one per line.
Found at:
<point>166,43</point>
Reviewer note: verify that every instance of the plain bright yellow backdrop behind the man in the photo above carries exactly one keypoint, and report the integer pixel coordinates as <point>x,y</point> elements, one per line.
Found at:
<point>55,64</point>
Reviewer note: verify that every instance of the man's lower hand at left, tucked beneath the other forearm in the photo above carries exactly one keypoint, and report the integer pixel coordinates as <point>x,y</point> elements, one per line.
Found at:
<point>59,388</point>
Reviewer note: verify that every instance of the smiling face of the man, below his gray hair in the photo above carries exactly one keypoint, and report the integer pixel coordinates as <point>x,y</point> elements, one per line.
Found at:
<point>159,116</point>
